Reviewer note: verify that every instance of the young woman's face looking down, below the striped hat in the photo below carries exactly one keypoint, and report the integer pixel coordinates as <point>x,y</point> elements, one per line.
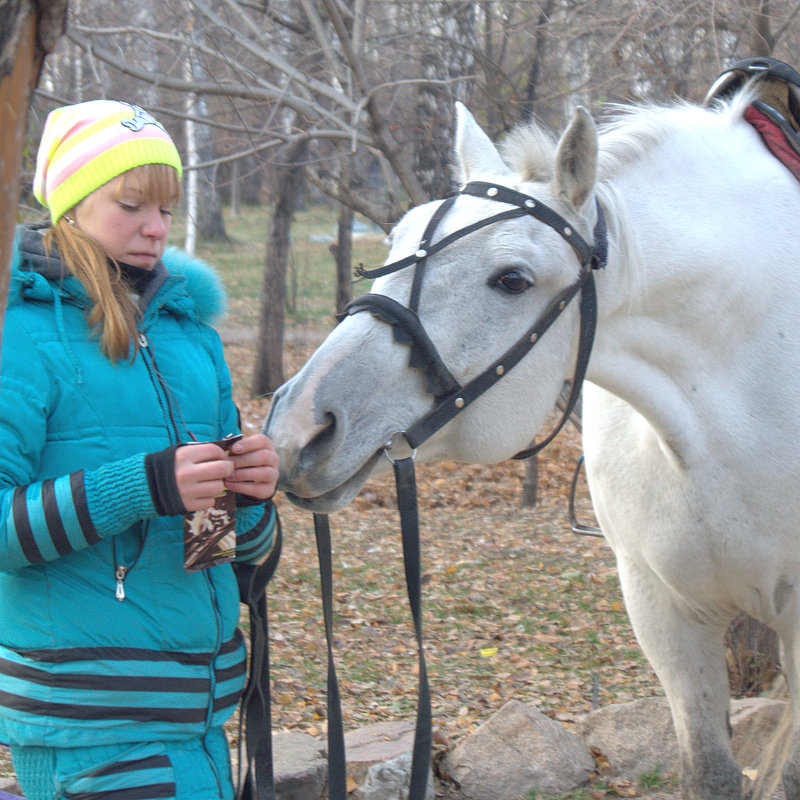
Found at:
<point>131,227</point>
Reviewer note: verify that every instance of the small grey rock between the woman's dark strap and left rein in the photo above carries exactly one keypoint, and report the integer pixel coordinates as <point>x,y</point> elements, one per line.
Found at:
<point>301,766</point>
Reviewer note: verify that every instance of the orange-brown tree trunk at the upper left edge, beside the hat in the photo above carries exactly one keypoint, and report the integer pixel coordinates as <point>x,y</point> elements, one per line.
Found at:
<point>29,31</point>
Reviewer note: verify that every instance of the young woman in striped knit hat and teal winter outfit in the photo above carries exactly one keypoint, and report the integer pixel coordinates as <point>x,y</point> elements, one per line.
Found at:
<point>119,663</point>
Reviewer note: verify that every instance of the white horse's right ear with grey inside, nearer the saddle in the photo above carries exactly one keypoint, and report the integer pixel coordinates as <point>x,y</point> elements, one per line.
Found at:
<point>576,160</point>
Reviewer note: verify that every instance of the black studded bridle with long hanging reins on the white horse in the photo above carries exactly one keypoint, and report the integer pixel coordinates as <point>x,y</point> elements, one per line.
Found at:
<point>450,398</point>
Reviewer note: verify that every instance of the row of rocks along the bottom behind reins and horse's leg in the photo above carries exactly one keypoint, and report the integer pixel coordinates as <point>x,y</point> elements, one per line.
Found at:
<point>517,752</point>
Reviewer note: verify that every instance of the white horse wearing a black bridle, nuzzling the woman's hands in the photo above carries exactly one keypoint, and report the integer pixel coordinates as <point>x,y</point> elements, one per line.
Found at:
<point>691,417</point>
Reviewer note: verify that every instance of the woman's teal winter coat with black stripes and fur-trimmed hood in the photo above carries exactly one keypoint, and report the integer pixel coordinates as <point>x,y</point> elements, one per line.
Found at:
<point>78,666</point>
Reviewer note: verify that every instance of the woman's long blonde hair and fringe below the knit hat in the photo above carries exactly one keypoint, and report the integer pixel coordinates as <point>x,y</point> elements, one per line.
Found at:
<point>114,313</point>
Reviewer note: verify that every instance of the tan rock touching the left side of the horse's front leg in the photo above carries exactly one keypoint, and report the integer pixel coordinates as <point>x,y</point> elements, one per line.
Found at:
<point>636,737</point>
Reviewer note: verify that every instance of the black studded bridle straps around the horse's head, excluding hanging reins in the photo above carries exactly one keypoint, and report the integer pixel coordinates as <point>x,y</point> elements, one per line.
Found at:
<point>451,397</point>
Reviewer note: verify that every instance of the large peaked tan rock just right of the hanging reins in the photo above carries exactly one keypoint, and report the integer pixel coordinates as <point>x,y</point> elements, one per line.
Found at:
<point>517,750</point>
